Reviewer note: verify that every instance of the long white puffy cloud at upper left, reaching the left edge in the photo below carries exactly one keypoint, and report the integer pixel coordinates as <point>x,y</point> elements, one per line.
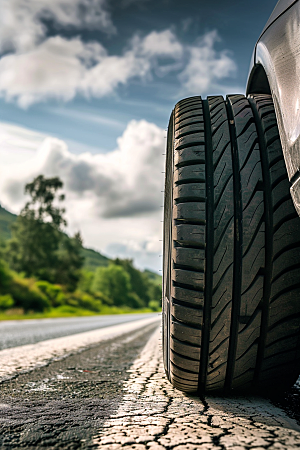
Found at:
<point>60,68</point>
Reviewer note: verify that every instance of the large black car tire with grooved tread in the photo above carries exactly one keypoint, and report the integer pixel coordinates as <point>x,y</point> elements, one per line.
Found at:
<point>231,274</point>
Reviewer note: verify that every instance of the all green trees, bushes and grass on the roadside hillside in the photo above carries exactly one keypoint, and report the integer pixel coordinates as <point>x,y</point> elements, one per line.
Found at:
<point>46,273</point>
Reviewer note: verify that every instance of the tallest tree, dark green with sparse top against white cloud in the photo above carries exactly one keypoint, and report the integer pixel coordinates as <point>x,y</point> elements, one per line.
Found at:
<point>38,246</point>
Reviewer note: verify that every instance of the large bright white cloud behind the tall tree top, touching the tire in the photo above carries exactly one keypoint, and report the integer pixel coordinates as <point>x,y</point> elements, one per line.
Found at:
<point>125,182</point>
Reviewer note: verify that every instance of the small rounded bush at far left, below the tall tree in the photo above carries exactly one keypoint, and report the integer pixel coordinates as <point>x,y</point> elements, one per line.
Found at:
<point>27,295</point>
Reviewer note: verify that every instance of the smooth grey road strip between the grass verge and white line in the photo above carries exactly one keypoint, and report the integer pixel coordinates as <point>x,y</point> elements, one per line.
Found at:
<point>14,333</point>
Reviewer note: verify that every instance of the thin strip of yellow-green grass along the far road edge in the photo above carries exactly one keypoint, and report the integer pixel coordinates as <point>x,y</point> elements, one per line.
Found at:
<point>69,311</point>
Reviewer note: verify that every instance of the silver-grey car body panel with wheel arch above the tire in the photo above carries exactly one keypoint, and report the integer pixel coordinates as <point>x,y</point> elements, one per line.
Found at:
<point>275,70</point>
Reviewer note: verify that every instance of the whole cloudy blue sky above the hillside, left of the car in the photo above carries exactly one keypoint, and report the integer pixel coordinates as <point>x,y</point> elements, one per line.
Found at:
<point>86,91</point>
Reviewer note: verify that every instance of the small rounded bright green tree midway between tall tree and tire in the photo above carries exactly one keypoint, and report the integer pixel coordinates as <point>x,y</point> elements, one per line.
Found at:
<point>114,282</point>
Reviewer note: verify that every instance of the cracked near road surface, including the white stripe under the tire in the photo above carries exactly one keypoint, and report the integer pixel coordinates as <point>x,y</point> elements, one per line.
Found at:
<point>115,395</point>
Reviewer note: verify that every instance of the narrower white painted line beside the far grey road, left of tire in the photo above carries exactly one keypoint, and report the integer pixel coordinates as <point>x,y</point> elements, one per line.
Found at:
<point>28,357</point>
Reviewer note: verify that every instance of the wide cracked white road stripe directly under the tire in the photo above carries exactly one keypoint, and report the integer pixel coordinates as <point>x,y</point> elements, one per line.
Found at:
<point>153,415</point>
